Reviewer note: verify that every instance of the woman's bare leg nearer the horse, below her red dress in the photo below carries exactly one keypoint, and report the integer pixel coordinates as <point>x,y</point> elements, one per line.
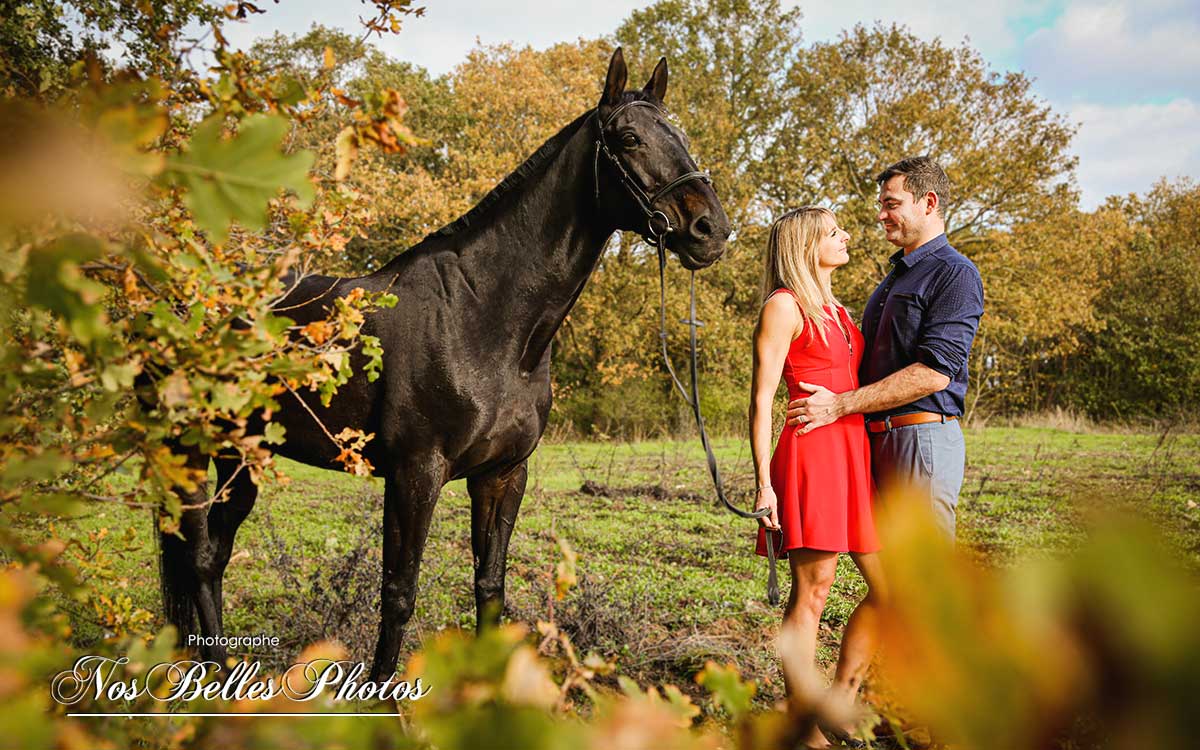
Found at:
<point>813,575</point>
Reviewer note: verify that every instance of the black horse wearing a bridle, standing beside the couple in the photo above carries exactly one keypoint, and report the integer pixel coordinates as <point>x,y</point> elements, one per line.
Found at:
<point>465,389</point>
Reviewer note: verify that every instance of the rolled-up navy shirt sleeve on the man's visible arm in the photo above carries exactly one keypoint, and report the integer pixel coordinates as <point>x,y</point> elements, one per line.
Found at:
<point>952,317</point>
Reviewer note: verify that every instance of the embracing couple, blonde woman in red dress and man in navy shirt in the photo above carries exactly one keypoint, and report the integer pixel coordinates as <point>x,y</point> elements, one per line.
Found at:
<point>869,409</point>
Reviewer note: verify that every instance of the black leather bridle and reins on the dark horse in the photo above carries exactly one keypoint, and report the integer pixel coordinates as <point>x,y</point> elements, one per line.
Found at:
<point>658,227</point>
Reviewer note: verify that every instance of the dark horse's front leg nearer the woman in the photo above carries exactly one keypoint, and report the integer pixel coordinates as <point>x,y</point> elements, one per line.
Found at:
<point>495,501</point>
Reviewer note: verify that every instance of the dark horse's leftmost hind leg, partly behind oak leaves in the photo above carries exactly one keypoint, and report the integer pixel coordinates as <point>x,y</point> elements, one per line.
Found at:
<point>187,565</point>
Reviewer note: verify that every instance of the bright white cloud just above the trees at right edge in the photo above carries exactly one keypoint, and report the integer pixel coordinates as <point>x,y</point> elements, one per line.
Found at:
<point>1126,149</point>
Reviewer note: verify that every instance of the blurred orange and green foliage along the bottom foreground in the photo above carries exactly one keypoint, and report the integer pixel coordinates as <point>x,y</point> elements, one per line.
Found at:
<point>1100,650</point>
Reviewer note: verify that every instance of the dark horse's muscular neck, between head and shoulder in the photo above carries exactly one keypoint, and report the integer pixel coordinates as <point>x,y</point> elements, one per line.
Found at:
<point>530,263</point>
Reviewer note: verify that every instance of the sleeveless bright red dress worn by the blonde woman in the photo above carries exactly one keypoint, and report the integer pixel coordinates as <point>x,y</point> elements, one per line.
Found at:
<point>823,481</point>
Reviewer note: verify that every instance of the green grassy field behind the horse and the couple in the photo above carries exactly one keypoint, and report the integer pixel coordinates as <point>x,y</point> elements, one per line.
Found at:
<point>667,579</point>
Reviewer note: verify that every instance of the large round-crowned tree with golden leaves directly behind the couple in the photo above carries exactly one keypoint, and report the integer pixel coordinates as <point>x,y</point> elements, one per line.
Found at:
<point>873,97</point>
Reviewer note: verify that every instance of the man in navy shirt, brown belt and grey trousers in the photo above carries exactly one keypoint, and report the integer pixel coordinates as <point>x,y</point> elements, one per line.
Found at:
<point>919,326</point>
